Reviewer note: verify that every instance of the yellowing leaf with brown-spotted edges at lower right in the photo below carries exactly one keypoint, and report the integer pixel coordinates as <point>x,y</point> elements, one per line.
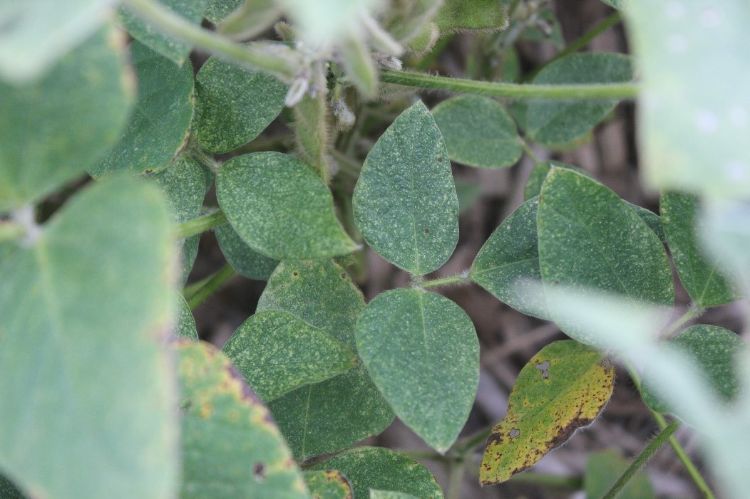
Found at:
<point>561,389</point>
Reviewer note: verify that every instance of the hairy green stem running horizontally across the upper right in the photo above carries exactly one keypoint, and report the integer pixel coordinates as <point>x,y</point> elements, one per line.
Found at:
<point>607,91</point>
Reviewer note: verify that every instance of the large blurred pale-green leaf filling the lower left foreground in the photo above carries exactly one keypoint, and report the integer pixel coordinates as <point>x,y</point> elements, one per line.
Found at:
<point>84,310</point>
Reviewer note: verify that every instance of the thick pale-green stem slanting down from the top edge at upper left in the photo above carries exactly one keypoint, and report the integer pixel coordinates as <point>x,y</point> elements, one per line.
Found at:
<point>174,25</point>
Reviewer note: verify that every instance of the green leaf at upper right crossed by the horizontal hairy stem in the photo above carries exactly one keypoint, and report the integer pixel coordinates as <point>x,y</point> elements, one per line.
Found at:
<point>554,123</point>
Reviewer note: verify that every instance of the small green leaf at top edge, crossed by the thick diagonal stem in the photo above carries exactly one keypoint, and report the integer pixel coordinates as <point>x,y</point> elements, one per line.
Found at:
<point>176,51</point>
